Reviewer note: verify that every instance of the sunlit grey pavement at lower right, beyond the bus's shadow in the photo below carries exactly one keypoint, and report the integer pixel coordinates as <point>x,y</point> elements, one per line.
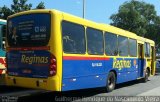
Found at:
<point>136,88</point>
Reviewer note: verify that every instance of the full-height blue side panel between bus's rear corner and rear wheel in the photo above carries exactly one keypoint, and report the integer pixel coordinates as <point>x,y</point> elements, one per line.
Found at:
<point>80,74</point>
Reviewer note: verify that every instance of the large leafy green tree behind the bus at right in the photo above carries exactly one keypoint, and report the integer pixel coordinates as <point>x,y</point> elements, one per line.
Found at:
<point>140,18</point>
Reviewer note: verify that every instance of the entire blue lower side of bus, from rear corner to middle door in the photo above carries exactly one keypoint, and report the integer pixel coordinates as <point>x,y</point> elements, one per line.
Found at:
<point>80,74</point>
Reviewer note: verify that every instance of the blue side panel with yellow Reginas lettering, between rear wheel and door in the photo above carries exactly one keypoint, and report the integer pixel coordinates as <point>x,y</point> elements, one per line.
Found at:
<point>126,68</point>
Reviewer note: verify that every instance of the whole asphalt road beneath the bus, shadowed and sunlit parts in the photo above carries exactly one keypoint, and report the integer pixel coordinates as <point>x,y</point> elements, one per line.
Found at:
<point>133,88</point>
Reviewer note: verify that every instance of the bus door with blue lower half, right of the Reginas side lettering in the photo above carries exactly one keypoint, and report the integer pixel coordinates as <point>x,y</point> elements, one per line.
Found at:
<point>140,60</point>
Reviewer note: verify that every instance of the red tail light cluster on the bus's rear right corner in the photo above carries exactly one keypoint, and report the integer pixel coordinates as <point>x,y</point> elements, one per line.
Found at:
<point>53,66</point>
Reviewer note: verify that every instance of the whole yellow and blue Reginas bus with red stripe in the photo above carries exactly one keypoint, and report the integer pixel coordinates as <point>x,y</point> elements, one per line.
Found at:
<point>53,50</point>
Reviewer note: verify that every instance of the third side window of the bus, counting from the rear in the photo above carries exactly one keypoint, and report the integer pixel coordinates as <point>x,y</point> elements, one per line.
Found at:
<point>111,43</point>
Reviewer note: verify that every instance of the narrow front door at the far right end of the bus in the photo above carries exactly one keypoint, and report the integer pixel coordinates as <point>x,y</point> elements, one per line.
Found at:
<point>152,60</point>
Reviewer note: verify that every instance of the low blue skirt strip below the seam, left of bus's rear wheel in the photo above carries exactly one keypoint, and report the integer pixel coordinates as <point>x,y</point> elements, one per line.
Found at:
<point>83,82</point>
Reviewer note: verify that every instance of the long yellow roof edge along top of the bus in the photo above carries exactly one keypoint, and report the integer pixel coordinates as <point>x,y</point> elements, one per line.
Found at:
<point>88,23</point>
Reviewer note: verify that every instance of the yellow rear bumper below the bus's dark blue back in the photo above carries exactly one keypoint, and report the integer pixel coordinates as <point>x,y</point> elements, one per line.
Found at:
<point>51,84</point>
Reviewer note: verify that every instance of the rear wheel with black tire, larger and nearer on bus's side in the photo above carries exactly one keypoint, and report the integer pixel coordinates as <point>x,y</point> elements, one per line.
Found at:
<point>111,82</point>
